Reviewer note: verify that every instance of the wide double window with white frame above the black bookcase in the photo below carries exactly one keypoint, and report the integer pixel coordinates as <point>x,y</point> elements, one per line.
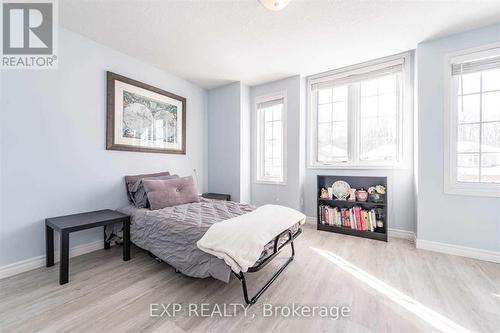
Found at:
<point>356,115</point>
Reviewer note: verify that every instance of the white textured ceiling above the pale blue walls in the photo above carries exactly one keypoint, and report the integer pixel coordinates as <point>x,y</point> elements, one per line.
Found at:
<point>212,43</point>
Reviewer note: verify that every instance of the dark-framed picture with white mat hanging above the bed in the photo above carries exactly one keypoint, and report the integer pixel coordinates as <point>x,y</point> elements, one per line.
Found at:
<point>144,118</point>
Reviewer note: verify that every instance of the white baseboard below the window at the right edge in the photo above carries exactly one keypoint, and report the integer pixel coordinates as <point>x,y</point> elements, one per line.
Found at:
<point>463,251</point>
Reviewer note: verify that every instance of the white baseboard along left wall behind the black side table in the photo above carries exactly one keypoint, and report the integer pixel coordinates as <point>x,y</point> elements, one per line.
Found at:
<point>36,262</point>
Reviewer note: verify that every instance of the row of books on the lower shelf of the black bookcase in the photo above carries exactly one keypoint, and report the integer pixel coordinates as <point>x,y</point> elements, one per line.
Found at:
<point>354,218</point>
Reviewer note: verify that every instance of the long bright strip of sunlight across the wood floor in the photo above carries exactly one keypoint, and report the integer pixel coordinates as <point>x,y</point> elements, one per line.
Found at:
<point>430,316</point>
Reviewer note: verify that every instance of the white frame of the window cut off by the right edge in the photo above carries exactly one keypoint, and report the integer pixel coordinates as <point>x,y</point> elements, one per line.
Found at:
<point>451,185</point>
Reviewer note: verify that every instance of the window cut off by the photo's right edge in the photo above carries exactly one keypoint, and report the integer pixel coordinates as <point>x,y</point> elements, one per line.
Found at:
<point>473,122</point>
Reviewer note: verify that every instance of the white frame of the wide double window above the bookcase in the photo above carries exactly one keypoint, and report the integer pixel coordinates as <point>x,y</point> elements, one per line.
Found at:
<point>405,117</point>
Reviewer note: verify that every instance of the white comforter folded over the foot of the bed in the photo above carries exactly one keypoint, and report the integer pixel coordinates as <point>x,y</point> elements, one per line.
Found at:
<point>239,241</point>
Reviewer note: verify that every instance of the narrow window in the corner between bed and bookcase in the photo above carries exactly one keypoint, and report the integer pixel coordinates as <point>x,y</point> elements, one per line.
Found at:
<point>271,139</point>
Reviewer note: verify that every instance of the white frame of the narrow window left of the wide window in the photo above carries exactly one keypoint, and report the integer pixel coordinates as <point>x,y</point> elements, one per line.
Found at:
<point>260,178</point>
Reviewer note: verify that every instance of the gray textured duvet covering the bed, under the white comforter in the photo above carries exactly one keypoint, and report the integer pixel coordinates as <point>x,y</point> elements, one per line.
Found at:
<point>171,234</point>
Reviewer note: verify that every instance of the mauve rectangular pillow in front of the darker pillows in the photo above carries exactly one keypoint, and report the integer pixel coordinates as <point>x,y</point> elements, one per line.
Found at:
<point>171,192</point>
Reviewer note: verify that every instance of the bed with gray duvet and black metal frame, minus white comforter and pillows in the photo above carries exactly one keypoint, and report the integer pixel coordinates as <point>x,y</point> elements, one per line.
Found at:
<point>171,234</point>
